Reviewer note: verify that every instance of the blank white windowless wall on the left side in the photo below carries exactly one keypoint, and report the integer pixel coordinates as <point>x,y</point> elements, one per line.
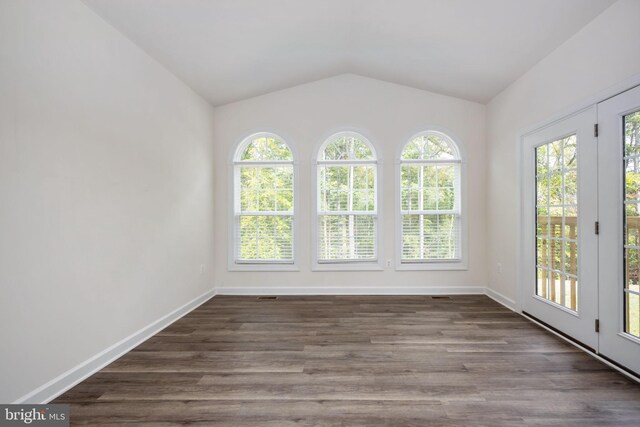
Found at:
<point>105,190</point>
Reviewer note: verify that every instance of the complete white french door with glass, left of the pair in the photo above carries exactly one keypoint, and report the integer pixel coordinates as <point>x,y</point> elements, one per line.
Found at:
<point>560,267</point>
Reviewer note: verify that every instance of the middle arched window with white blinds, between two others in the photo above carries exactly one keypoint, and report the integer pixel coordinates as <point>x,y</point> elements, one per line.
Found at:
<point>347,199</point>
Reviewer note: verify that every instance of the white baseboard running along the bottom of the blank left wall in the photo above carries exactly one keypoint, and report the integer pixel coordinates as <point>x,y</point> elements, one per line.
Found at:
<point>73,376</point>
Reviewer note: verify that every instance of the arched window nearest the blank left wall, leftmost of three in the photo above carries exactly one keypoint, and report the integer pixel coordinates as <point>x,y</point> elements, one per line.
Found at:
<point>263,201</point>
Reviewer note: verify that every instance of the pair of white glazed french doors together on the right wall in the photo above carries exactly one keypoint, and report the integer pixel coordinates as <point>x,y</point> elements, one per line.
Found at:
<point>581,235</point>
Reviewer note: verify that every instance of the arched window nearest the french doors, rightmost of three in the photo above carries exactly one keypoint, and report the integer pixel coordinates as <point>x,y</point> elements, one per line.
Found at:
<point>430,207</point>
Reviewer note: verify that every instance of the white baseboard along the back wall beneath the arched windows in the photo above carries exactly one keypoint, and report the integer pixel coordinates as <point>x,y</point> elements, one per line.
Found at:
<point>328,290</point>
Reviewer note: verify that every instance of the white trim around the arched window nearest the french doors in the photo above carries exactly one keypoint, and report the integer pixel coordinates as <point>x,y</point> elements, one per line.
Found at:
<point>433,264</point>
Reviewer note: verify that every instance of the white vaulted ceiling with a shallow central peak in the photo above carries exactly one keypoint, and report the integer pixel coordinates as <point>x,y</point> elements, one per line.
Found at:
<point>228,50</point>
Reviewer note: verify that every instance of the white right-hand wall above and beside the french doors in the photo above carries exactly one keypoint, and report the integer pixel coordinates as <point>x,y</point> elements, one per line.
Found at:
<point>602,55</point>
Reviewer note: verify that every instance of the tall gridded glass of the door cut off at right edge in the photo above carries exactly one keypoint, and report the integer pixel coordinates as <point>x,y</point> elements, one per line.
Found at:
<point>631,221</point>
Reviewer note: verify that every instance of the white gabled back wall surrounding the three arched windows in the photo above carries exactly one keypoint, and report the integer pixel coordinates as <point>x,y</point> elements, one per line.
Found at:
<point>388,115</point>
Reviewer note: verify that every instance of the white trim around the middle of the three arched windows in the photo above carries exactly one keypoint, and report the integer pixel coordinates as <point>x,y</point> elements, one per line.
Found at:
<point>345,265</point>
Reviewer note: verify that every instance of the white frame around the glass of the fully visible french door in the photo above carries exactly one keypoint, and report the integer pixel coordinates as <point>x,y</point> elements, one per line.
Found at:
<point>578,324</point>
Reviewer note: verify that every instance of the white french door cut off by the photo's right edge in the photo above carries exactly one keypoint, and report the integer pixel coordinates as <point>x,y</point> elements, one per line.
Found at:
<point>619,241</point>
